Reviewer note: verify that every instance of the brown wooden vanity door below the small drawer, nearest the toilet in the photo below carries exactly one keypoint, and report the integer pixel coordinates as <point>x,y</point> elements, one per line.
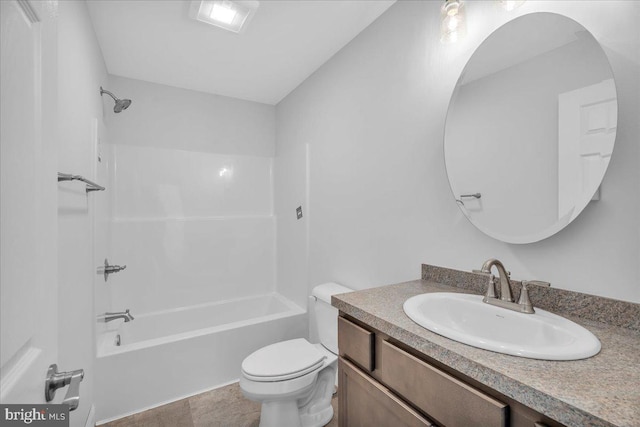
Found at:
<point>363,402</point>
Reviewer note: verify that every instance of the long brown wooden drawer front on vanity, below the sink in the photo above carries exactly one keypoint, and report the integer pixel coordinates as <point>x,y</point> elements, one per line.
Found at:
<point>444,398</point>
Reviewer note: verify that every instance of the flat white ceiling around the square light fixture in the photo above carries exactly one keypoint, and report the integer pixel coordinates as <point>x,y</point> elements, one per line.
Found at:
<point>285,42</point>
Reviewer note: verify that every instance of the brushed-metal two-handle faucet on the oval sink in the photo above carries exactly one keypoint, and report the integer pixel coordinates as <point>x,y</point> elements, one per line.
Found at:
<point>523,305</point>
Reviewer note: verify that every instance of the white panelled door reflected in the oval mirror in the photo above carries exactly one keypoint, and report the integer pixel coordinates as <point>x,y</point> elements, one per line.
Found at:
<point>587,119</point>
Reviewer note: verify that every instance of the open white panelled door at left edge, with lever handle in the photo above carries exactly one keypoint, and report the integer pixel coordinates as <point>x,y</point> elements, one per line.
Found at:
<point>28,199</point>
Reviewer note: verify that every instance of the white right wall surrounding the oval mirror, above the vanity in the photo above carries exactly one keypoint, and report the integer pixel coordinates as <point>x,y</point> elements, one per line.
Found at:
<point>380,205</point>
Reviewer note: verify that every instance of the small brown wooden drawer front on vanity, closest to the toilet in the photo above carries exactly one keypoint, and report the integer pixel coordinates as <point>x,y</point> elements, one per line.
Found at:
<point>356,343</point>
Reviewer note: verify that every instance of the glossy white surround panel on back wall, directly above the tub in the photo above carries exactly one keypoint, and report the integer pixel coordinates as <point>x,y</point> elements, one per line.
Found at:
<point>192,227</point>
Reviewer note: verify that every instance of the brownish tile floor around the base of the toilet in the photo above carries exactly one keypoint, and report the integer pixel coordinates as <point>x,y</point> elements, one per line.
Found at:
<point>222,407</point>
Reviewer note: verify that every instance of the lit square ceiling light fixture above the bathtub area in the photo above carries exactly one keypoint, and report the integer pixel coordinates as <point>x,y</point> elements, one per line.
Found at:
<point>232,15</point>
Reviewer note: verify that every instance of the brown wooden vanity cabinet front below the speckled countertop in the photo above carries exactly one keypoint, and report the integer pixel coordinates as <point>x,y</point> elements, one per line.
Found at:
<point>382,384</point>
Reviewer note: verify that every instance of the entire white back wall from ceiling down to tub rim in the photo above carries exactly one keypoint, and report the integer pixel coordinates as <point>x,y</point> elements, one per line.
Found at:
<point>192,198</point>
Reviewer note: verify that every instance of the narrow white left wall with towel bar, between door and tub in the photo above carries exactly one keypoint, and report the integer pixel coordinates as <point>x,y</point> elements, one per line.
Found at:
<point>81,71</point>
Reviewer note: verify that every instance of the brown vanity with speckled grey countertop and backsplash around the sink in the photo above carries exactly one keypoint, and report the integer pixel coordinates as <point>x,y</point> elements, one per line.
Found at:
<point>393,372</point>
